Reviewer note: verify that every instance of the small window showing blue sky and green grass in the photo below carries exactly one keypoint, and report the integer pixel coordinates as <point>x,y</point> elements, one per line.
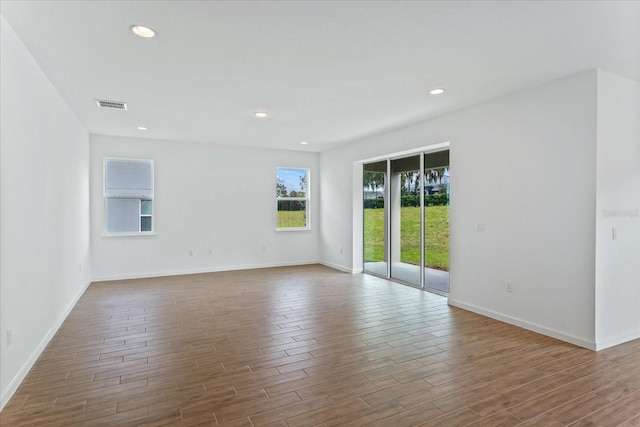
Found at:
<point>292,192</point>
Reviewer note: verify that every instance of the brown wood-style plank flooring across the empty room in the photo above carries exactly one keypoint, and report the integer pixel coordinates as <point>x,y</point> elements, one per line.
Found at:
<point>310,346</point>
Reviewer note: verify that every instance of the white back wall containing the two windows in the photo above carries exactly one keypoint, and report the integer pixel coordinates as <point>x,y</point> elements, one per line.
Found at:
<point>207,197</point>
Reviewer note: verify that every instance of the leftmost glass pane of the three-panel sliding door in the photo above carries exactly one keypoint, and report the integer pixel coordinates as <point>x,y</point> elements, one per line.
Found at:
<point>374,228</point>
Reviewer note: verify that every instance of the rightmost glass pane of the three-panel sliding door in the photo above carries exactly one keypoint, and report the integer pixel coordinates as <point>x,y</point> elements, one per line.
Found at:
<point>436,221</point>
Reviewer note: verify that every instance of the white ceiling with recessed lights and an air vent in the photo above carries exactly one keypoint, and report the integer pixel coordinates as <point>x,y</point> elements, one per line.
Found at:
<point>327,72</point>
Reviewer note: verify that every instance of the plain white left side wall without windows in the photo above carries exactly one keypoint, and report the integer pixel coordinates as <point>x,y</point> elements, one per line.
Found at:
<point>44,213</point>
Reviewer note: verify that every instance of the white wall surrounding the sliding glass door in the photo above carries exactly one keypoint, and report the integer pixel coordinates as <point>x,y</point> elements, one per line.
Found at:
<point>525,166</point>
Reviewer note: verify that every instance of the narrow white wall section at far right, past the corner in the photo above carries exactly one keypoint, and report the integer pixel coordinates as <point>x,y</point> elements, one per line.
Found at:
<point>618,176</point>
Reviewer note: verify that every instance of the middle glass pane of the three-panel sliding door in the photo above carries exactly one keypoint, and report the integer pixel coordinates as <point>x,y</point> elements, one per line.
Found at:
<point>405,219</point>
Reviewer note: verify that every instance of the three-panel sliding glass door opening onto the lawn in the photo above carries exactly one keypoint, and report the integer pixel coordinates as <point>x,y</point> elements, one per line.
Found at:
<point>406,220</point>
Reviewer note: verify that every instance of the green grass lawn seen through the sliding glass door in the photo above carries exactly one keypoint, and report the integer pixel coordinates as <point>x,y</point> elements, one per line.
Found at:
<point>436,236</point>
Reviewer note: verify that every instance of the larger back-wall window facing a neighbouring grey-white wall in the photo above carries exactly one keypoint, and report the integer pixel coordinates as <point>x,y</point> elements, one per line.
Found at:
<point>128,193</point>
